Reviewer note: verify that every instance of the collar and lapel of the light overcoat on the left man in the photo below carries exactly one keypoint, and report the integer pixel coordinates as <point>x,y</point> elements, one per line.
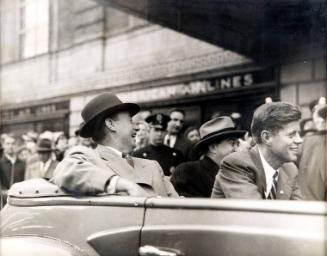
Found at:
<point>139,174</point>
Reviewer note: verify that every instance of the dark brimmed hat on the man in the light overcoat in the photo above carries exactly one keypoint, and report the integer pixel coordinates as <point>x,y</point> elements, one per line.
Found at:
<point>103,105</point>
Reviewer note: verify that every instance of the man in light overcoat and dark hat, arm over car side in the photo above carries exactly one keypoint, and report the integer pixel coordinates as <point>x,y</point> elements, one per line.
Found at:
<point>109,168</point>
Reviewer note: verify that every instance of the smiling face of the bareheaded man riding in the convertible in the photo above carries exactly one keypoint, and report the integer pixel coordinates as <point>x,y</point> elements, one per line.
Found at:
<point>285,144</point>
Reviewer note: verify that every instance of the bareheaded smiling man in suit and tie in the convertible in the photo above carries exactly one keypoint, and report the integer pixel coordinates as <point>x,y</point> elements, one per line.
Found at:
<point>267,171</point>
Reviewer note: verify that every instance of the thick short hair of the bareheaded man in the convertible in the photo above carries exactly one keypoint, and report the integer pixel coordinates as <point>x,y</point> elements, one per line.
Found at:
<point>272,117</point>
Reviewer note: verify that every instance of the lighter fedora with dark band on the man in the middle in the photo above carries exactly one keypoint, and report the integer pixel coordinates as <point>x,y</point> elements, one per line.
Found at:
<point>217,129</point>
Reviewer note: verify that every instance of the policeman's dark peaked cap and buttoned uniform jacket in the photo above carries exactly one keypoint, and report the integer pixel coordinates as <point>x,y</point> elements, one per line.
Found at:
<point>167,157</point>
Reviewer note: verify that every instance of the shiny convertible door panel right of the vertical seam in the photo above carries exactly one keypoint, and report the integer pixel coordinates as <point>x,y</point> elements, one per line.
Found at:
<point>206,227</point>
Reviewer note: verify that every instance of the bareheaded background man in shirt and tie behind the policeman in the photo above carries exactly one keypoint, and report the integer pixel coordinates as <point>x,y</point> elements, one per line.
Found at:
<point>174,137</point>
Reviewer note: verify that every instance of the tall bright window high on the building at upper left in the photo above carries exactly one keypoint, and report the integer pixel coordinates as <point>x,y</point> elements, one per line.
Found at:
<point>33,28</point>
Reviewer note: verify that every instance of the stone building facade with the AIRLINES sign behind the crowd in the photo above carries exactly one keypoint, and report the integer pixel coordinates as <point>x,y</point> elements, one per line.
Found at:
<point>58,54</point>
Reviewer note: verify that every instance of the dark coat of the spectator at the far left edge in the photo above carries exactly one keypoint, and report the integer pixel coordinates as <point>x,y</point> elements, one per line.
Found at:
<point>9,173</point>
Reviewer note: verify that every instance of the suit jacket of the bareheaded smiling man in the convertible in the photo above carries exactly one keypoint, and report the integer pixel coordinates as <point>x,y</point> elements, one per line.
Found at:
<point>241,175</point>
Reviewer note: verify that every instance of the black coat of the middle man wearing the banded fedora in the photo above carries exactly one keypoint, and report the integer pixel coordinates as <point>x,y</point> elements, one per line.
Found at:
<point>196,178</point>
